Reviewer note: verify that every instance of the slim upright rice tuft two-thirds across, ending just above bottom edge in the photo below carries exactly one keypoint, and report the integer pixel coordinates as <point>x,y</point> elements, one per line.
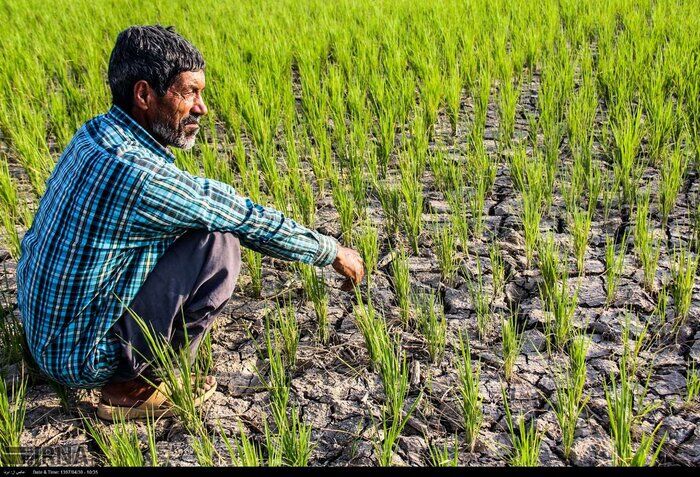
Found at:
<point>470,399</point>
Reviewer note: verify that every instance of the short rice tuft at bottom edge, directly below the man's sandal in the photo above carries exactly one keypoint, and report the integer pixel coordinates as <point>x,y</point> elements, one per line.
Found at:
<point>120,444</point>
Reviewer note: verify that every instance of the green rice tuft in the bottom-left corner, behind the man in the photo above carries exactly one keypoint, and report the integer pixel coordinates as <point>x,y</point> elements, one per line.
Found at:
<point>13,407</point>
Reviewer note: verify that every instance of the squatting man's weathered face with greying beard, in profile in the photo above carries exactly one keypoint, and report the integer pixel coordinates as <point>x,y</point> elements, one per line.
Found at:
<point>175,117</point>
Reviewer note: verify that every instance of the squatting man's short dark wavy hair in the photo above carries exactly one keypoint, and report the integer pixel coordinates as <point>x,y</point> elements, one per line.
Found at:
<point>156,54</point>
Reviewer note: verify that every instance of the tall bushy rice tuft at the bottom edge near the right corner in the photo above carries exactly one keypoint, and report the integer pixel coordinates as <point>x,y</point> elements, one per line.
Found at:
<point>625,397</point>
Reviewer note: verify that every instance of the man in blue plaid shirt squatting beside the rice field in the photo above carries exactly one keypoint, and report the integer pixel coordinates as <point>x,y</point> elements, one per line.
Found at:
<point>121,225</point>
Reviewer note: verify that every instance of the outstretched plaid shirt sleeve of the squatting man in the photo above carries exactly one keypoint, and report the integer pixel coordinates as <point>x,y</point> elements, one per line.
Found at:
<point>174,201</point>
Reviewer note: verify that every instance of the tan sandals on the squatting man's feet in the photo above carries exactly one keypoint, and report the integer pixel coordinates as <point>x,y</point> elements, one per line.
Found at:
<point>157,404</point>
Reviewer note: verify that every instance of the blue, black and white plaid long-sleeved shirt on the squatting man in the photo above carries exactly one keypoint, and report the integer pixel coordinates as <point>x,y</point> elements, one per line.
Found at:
<point>113,204</point>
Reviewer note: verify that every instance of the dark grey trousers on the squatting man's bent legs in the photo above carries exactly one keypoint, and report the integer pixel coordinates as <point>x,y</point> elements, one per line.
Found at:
<point>187,289</point>
